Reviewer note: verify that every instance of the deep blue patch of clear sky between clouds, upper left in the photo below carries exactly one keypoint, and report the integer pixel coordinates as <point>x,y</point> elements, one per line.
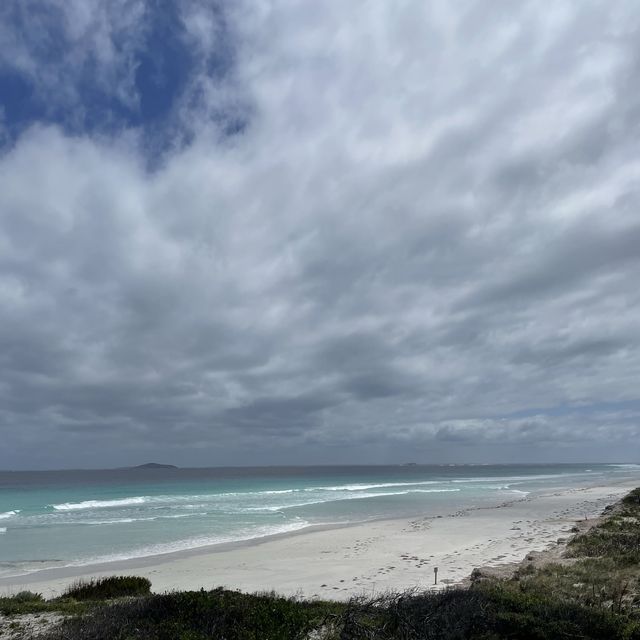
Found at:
<point>162,63</point>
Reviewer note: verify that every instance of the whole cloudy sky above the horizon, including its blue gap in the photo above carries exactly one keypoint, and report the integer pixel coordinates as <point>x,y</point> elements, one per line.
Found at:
<point>282,231</point>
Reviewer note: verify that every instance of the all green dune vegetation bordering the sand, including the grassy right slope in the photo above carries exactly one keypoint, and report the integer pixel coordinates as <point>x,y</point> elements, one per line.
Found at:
<point>593,593</point>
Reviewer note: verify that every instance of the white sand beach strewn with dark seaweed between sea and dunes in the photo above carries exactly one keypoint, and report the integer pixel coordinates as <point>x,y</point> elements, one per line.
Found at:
<point>365,558</point>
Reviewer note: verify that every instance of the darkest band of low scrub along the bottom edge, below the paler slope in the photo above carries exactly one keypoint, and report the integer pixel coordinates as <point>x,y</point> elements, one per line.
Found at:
<point>484,612</point>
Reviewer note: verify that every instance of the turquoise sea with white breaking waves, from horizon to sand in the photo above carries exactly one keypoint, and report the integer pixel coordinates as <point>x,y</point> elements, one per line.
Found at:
<point>62,518</point>
